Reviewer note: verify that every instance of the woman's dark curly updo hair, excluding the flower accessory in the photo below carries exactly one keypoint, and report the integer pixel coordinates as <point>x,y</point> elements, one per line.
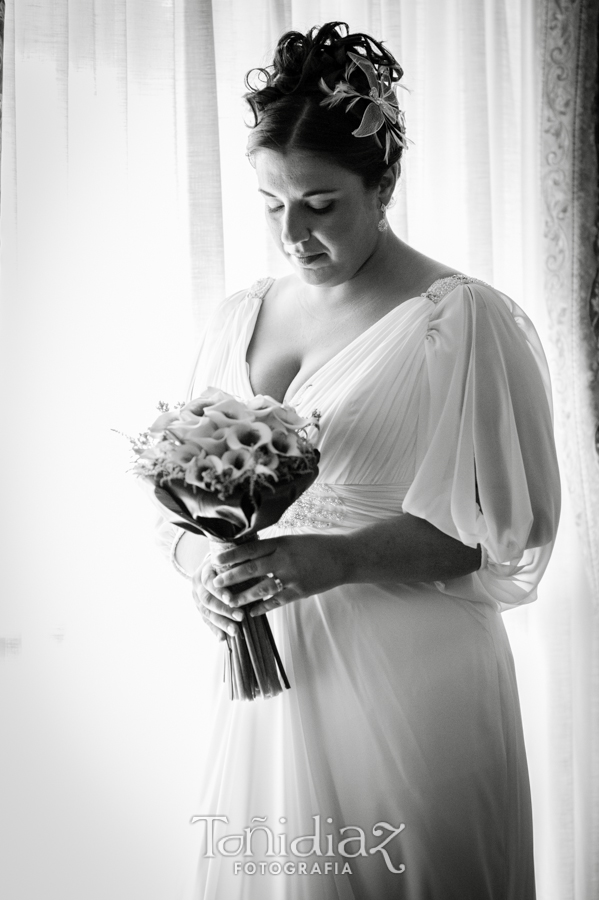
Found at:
<point>286,100</point>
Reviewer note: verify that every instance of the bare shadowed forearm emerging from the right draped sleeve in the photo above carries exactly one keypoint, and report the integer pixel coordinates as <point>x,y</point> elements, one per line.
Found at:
<point>404,548</point>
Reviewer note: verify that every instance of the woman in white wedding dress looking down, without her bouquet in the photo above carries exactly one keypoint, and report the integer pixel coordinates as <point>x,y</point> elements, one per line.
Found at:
<point>398,754</point>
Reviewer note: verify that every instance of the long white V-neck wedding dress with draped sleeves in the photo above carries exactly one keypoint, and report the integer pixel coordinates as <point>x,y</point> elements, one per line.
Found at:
<point>403,708</point>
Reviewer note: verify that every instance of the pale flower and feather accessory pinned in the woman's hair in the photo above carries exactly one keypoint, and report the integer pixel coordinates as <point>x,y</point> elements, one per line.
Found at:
<point>383,109</point>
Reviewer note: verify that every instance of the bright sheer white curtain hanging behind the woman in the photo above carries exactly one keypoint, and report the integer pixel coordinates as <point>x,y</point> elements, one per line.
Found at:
<point>126,214</point>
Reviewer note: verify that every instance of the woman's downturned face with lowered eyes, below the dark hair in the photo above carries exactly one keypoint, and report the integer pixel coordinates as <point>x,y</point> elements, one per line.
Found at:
<point>320,215</point>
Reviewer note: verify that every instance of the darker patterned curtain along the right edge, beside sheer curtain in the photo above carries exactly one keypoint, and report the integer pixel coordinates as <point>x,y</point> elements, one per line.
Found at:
<point>571,200</point>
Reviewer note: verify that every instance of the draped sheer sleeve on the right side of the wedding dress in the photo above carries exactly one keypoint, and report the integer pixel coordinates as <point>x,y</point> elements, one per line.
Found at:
<point>486,466</point>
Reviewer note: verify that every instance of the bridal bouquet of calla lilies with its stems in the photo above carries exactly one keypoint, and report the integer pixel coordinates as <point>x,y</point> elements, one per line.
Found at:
<point>226,469</point>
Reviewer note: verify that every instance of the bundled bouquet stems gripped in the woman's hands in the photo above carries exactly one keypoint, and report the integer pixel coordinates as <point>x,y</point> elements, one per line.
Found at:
<point>253,667</point>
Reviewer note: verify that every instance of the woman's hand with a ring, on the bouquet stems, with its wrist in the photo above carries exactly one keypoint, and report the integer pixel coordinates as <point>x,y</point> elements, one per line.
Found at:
<point>289,568</point>
